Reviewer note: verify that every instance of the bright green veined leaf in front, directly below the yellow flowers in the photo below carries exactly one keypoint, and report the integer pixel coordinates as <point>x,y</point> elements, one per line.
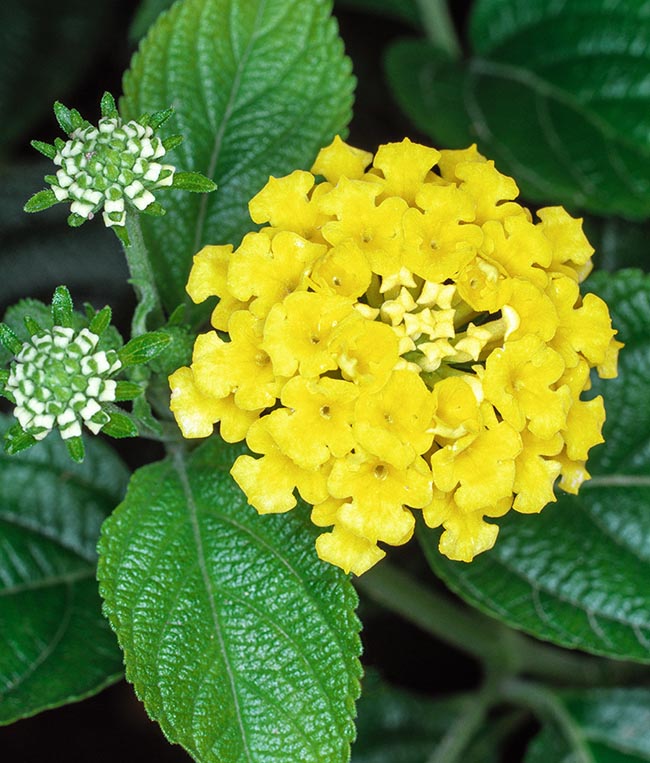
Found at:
<point>241,643</point>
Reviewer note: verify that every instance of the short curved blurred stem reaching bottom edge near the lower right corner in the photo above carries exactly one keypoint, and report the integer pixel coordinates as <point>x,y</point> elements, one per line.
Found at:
<point>547,706</point>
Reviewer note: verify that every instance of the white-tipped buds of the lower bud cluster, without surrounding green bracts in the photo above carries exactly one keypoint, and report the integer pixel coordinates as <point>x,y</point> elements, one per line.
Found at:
<point>59,379</point>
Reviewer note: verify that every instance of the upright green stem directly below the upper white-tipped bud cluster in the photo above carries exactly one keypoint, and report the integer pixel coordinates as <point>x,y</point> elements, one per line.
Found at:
<point>142,278</point>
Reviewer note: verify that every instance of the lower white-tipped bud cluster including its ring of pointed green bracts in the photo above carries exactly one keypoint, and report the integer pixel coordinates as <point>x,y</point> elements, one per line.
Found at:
<point>60,375</point>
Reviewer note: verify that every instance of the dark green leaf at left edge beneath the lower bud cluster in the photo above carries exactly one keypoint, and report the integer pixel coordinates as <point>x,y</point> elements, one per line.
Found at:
<point>55,645</point>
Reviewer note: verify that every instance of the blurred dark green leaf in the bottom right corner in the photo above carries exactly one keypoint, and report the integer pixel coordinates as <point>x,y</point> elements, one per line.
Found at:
<point>612,724</point>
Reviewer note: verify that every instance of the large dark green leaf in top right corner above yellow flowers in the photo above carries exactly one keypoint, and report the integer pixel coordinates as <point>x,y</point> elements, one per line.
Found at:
<point>557,95</point>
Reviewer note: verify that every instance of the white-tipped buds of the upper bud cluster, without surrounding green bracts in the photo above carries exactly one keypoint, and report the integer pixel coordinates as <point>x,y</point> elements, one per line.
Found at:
<point>108,164</point>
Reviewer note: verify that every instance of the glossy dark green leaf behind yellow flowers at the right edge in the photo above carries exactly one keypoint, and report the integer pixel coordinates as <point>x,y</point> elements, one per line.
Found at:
<point>577,574</point>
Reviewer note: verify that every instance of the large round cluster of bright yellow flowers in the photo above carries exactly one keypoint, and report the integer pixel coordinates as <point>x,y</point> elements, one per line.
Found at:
<point>396,338</point>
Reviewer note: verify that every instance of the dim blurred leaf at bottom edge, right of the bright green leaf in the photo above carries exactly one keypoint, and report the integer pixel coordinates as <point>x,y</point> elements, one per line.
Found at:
<point>395,726</point>
